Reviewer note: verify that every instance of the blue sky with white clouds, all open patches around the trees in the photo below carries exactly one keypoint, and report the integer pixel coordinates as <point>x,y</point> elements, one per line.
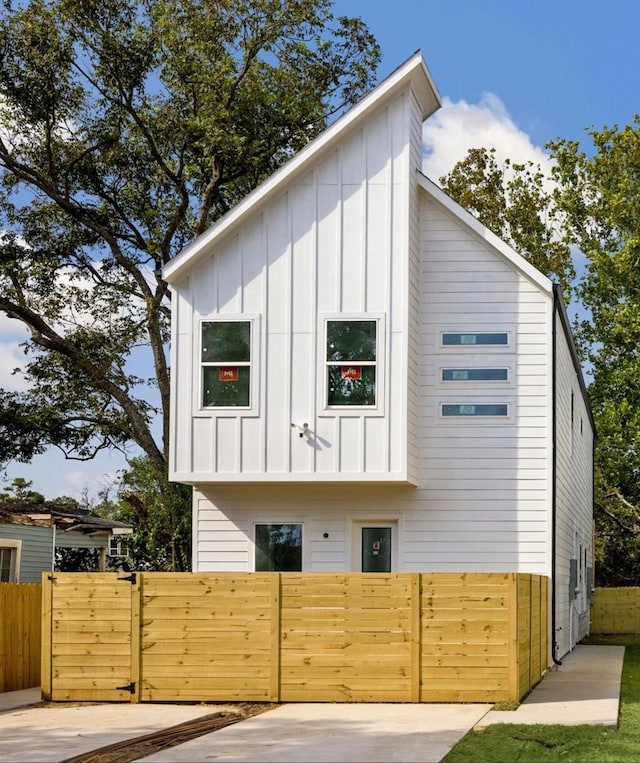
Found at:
<point>512,74</point>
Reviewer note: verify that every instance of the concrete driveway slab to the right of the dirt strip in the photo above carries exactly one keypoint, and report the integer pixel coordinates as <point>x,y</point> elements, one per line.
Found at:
<point>335,733</point>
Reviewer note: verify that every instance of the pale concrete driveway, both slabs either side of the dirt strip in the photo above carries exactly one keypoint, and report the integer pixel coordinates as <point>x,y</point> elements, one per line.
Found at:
<point>335,733</point>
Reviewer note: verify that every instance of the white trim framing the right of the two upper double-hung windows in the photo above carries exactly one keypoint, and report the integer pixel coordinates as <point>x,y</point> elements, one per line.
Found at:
<point>326,410</point>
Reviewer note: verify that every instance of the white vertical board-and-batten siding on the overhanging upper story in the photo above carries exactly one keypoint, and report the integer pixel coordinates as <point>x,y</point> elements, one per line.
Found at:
<point>332,243</point>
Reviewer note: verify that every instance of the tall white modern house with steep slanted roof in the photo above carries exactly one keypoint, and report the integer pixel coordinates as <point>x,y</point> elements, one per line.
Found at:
<point>365,378</point>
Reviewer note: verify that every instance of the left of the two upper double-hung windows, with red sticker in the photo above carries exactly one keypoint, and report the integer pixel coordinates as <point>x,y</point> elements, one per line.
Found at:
<point>226,364</point>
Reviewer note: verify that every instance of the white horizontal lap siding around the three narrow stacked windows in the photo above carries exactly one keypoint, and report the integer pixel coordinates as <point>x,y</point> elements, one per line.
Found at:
<point>489,474</point>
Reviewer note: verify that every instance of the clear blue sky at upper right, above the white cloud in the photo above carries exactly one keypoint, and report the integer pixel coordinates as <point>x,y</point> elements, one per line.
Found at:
<point>557,66</point>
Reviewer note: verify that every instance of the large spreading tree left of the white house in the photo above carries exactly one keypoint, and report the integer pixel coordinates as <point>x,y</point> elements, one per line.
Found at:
<point>126,128</point>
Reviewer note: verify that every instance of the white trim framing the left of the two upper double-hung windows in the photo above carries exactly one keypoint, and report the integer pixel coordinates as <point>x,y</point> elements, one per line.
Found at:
<point>255,366</point>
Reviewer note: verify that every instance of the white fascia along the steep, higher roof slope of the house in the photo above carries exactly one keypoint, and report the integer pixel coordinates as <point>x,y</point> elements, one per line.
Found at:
<point>413,71</point>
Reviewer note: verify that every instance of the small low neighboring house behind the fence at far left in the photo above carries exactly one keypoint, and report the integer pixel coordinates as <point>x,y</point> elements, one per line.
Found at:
<point>29,538</point>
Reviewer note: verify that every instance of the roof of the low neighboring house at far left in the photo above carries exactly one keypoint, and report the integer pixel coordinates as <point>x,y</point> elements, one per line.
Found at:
<point>42,516</point>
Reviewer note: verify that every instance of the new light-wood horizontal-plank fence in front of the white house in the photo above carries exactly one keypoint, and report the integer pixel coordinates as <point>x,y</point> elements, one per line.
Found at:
<point>289,637</point>
